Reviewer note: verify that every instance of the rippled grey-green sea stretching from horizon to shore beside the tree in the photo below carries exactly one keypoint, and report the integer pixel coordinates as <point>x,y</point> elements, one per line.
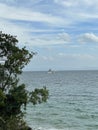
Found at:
<point>72,103</point>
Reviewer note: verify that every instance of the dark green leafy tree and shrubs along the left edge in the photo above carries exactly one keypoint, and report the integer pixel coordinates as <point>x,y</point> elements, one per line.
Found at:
<point>13,95</point>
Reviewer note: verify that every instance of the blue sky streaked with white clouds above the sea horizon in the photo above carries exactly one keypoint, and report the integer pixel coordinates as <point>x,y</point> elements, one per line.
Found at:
<point>64,33</point>
